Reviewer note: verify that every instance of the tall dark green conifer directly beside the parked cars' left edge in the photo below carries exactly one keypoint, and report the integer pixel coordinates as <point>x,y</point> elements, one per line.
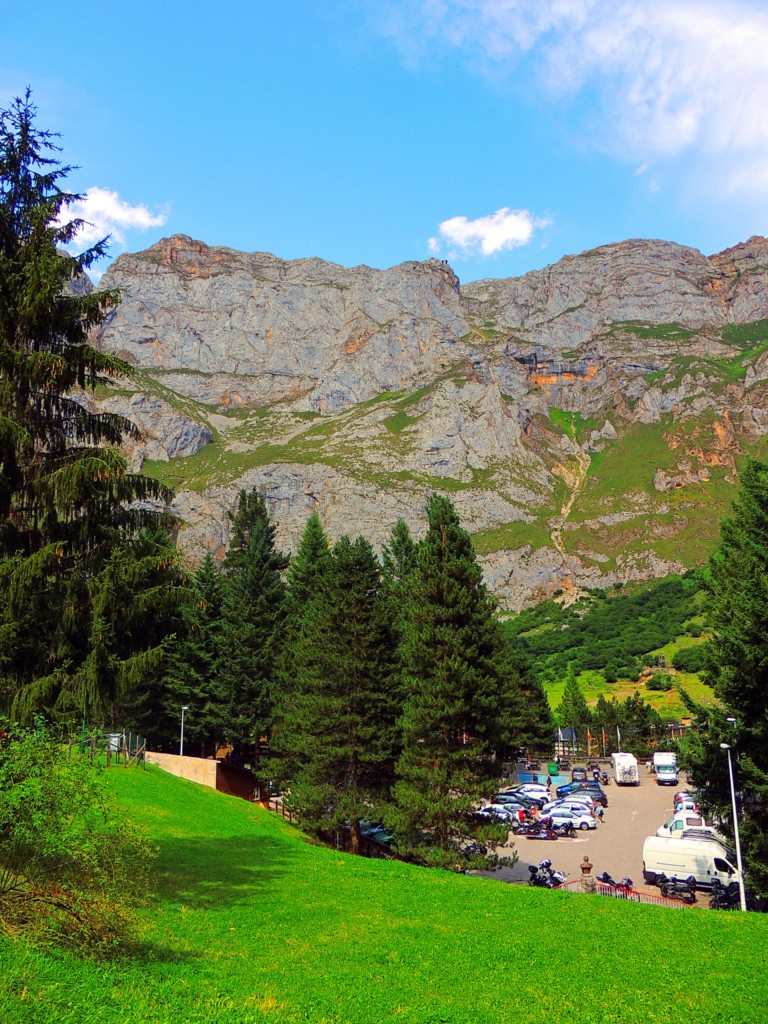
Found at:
<point>459,701</point>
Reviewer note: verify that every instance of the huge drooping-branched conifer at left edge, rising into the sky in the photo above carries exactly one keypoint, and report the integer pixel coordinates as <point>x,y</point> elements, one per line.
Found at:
<point>67,498</point>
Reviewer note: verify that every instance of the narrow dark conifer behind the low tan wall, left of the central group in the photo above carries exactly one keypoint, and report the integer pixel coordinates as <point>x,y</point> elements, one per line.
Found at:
<point>253,616</point>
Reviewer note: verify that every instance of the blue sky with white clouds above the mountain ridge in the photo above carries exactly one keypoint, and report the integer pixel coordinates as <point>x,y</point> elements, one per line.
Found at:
<point>499,135</point>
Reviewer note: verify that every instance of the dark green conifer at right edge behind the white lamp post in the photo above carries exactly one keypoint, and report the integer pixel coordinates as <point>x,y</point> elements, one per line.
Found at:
<point>738,586</point>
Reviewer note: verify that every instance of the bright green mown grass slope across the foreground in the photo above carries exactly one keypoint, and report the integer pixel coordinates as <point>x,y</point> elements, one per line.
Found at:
<point>252,924</point>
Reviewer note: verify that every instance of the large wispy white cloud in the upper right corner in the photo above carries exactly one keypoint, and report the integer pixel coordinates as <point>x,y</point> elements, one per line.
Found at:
<point>661,78</point>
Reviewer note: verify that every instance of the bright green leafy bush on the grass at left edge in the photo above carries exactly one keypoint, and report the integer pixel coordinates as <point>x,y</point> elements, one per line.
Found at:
<point>70,870</point>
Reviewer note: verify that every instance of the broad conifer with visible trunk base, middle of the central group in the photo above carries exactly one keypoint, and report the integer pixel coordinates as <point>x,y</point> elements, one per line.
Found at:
<point>339,734</point>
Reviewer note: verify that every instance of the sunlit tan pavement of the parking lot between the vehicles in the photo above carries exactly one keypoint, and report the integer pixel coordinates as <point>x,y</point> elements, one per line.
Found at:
<point>616,846</point>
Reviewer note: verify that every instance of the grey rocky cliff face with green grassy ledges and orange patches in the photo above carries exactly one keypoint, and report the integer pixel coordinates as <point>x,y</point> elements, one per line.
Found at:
<point>588,419</point>
